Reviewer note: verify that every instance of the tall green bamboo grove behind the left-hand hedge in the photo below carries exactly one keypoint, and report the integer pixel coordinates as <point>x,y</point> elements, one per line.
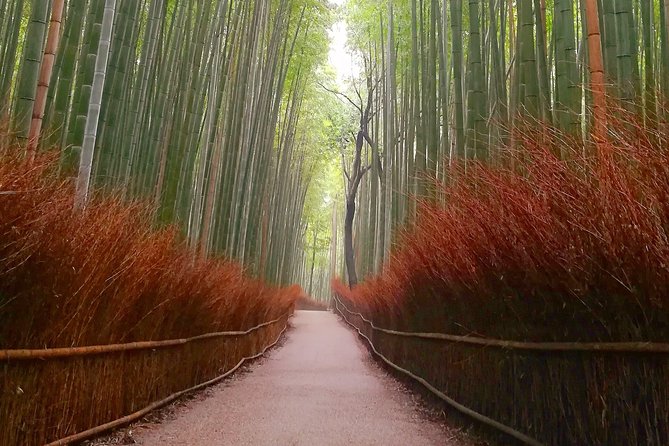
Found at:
<point>197,109</point>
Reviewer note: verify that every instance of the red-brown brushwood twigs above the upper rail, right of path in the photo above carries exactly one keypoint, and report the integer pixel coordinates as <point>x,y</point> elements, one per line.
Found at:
<point>549,250</point>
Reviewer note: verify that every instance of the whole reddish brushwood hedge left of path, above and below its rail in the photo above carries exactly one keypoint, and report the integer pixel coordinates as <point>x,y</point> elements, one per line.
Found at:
<point>105,276</point>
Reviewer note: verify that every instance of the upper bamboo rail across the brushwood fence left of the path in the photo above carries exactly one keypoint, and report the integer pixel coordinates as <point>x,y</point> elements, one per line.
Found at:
<point>69,352</point>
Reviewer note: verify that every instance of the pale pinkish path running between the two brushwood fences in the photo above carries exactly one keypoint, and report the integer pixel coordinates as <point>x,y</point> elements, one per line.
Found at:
<point>320,388</point>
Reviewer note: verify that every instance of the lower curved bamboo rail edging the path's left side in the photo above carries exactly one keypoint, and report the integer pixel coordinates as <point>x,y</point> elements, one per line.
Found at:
<point>93,432</point>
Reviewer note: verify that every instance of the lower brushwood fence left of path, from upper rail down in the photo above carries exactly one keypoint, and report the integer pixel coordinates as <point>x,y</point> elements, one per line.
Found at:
<point>61,396</point>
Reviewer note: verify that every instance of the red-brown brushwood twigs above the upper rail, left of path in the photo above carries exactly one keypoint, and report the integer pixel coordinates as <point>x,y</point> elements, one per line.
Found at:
<point>105,275</point>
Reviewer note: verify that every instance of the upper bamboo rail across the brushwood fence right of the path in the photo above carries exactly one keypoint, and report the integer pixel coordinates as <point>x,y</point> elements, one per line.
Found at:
<point>594,347</point>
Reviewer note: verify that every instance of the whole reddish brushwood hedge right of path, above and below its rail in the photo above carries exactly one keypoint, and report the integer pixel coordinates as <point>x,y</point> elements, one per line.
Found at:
<point>548,250</point>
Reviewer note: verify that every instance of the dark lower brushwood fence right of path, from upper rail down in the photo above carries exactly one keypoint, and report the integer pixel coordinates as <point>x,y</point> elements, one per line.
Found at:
<point>538,393</point>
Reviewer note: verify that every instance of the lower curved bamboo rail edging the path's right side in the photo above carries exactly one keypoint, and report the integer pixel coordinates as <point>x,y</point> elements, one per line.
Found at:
<point>464,409</point>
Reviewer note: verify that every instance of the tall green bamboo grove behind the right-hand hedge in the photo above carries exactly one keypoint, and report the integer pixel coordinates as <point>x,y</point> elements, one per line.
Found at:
<point>451,78</point>
